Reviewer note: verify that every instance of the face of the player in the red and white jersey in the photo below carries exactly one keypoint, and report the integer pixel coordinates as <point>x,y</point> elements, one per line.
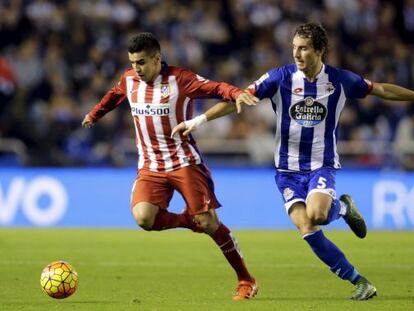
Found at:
<point>146,66</point>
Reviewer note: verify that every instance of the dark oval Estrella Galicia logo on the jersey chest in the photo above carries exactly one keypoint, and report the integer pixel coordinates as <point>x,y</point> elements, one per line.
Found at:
<point>308,112</point>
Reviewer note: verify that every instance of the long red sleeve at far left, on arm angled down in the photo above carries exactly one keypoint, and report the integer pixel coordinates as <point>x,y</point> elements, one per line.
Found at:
<point>112,99</point>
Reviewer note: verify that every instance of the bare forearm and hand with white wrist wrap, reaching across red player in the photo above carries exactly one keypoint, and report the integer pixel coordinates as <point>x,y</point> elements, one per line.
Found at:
<point>218,110</point>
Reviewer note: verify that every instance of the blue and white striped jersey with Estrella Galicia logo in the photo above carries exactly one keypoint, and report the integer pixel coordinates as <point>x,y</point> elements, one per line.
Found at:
<point>307,113</point>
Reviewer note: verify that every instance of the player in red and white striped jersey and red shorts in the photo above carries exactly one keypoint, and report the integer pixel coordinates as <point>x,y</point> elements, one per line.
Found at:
<point>160,97</point>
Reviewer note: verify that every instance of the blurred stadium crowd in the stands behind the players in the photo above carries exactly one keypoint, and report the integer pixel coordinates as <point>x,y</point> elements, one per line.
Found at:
<point>58,58</point>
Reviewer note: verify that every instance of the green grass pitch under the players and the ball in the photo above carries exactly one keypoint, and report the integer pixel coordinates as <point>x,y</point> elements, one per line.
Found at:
<point>178,270</point>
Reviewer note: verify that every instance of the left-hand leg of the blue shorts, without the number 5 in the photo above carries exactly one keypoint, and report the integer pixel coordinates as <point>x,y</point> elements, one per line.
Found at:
<point>293,187</point>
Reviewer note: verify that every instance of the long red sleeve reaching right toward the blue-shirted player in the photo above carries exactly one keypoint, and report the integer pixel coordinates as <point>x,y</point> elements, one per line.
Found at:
<point>194,85</point>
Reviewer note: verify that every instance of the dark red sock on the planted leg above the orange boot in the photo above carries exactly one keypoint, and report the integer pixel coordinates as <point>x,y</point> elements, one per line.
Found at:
<point>231,251</point>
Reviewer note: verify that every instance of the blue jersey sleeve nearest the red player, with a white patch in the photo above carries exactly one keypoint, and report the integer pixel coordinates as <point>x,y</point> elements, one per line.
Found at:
<point>267,85</point>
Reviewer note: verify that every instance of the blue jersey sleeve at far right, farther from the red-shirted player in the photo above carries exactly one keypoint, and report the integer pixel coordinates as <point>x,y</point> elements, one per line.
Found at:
<point>354,85</point>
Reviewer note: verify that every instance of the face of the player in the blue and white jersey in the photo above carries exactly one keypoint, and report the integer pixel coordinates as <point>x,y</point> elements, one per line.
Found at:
<point>306,57</point>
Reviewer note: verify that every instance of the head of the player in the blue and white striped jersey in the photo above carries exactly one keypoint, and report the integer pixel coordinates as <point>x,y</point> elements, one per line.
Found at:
<point>310,43</point>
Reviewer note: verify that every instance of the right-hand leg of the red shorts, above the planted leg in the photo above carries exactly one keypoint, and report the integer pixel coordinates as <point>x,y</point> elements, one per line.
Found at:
<point>196,186</point>
